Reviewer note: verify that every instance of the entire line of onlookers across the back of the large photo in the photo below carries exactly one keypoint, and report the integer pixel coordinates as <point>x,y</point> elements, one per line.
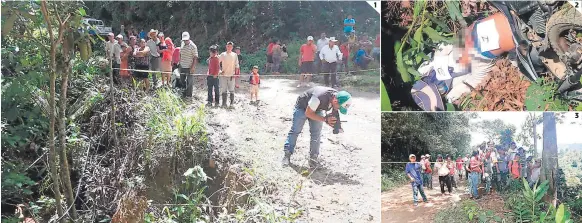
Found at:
<point>142,56</point>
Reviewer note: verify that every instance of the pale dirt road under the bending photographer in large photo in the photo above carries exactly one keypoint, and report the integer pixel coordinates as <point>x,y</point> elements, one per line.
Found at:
<point>344,189</point>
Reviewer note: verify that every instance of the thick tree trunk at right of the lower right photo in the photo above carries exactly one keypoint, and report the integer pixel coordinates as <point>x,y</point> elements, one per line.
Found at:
<point>550,157</point>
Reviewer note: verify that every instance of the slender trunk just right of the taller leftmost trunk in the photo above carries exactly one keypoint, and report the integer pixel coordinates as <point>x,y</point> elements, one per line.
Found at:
<point>66,176</point>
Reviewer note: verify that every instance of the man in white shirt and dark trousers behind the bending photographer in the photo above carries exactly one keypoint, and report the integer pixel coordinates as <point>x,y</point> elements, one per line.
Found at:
<point>329,56</point>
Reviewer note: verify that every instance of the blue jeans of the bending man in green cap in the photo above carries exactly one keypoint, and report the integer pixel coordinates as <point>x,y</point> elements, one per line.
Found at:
<point>299,119</point>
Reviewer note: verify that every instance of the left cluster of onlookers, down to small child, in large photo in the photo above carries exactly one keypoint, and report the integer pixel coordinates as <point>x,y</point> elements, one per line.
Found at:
<point>158,55</point>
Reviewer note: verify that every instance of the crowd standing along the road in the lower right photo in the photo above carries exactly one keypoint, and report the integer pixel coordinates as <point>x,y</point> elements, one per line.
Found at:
<point>494,165</point>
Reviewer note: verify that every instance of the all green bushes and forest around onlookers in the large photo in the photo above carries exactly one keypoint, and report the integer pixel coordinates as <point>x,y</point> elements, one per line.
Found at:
<point>77,148</point>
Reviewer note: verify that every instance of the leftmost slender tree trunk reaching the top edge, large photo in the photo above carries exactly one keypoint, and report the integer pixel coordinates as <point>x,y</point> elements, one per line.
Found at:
<point>53,154</point>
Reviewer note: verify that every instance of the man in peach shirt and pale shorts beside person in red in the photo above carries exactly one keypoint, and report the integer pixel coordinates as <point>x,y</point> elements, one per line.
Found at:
<point>230,70</point>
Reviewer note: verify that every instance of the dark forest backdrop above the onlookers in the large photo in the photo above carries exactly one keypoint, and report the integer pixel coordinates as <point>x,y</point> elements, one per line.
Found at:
<point>248,24</point>
